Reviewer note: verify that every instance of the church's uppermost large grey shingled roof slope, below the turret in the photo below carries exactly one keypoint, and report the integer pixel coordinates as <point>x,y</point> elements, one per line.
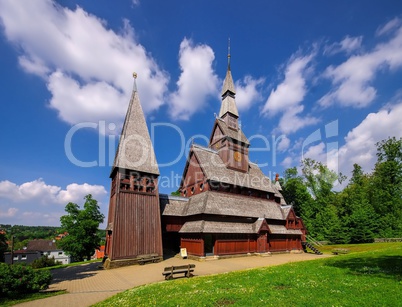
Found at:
<point>216,170</point>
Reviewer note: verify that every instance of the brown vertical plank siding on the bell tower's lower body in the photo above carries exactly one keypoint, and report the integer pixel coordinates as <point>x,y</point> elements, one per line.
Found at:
<point>137,226</point>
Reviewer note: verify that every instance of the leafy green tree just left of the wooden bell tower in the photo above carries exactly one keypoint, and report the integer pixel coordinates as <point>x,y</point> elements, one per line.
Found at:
<point>82,226</point>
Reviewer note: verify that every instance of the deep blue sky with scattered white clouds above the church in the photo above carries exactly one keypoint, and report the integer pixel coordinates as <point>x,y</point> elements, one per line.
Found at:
<point>314,79</point>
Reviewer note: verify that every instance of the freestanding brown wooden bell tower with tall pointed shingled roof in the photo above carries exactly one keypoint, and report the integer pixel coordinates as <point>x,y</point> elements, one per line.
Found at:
<point>134,222</point>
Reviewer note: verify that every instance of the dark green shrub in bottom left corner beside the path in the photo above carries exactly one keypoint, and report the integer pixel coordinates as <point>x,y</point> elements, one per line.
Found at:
<point>20,279</point>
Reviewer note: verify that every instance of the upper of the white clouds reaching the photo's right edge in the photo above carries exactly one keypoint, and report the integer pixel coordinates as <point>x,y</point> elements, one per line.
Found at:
<point>352,79</point>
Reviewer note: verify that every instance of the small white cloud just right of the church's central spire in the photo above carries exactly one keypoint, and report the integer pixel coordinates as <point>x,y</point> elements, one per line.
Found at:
<point>247,92</point>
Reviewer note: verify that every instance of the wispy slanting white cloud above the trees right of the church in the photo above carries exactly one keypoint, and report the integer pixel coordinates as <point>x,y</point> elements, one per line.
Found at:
<point>288,95</point>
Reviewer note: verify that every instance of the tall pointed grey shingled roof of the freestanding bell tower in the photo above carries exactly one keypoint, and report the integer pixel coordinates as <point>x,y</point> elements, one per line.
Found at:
<point>135,150</point>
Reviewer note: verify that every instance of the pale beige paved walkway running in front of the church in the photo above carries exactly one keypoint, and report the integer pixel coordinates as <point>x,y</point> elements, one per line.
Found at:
<point>87,284</point>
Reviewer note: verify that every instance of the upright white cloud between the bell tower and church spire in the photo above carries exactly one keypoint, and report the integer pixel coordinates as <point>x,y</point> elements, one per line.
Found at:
<point>197,80</point>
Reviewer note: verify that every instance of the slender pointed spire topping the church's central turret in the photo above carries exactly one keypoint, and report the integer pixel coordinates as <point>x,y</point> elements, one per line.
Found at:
<point>228,93</point>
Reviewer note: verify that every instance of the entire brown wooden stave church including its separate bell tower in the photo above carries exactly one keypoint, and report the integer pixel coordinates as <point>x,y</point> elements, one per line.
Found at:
<point>227,205</point>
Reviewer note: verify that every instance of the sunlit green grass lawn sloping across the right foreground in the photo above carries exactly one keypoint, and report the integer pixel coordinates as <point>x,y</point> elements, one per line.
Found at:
<point>370,275</point>
